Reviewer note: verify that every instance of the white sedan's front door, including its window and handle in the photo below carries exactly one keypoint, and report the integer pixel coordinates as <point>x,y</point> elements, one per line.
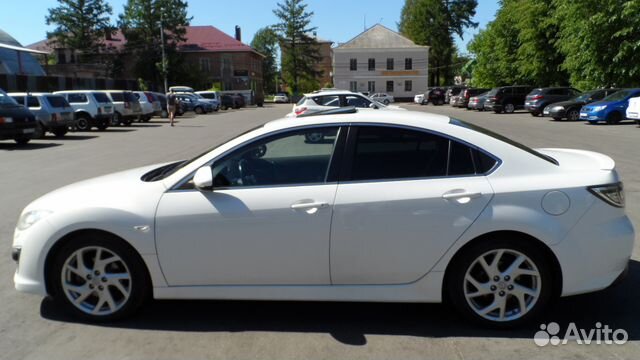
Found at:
<point>266,222</point>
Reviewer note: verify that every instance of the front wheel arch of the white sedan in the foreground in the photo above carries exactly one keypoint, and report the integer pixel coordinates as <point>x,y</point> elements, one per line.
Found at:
<point>66,239</point>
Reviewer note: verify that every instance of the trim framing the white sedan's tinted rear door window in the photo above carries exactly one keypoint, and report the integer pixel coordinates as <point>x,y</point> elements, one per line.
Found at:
<point>352,136</point>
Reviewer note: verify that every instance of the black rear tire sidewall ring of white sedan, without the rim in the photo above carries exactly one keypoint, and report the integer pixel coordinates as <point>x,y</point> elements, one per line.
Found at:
<point>455,279</point>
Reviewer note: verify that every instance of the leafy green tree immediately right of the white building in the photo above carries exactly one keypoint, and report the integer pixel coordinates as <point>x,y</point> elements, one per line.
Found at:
<point>434,23</point>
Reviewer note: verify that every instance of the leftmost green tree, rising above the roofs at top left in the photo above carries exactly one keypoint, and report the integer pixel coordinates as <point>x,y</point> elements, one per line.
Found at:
<point>81,25</point>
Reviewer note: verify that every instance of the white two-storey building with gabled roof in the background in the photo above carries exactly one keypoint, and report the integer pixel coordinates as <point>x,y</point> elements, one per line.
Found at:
<point>381,60</point>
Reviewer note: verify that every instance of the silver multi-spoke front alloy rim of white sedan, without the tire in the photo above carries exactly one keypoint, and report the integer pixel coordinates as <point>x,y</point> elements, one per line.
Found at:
<point>96,280</point>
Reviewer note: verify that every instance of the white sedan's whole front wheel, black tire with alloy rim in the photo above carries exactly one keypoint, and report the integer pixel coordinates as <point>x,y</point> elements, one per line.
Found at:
<point>127,290</point>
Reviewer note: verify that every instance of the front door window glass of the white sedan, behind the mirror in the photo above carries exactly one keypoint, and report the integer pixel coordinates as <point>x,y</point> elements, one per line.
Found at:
<point>298,157</point>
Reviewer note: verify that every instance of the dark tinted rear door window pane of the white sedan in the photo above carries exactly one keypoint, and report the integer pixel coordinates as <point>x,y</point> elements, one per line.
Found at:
<point>392,153</point>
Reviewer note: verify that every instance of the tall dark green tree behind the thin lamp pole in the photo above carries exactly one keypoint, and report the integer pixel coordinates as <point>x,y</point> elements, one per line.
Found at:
<point>140,23</point>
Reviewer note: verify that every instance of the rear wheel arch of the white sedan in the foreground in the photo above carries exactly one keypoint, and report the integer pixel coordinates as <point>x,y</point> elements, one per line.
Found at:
<point>502,234</point>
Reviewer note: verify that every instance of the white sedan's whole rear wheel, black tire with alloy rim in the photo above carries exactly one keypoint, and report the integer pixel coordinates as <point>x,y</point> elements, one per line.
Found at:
<point>535,275</point>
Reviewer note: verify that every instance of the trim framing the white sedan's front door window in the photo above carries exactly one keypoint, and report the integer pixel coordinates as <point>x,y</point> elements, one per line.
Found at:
<point>331,176</point>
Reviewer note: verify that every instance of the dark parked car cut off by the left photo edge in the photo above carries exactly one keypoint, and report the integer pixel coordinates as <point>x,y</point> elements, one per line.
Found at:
<point>16,122</point>
